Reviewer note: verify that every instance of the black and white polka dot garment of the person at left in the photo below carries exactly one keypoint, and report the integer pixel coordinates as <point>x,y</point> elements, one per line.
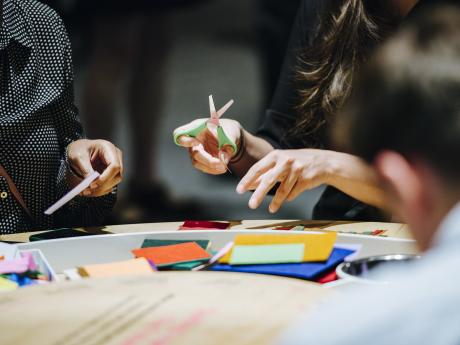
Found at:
<point>38,120</point>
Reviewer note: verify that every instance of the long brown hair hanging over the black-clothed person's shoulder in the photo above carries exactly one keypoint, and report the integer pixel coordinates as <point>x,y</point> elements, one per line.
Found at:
<point>348,31</point>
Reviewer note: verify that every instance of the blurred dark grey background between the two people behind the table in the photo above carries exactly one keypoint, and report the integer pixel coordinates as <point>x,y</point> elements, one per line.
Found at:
<point>145,67</point>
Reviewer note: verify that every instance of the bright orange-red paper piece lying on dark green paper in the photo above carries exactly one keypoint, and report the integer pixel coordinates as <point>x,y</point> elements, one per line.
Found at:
<point>173,254</point>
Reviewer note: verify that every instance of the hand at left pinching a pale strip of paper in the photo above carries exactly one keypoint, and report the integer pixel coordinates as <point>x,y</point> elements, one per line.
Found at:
<point>84,156</point>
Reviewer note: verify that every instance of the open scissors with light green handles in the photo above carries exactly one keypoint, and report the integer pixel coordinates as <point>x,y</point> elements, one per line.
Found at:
<point>213,121</point>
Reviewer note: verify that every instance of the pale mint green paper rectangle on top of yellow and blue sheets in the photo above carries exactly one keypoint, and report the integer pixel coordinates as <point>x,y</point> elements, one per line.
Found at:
<point>267,254</point>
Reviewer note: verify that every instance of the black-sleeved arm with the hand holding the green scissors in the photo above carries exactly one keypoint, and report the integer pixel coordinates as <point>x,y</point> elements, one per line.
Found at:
<point>279,119</point>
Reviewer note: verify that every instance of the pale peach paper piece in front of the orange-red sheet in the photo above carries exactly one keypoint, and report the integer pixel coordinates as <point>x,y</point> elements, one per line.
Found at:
<point>138,266</point>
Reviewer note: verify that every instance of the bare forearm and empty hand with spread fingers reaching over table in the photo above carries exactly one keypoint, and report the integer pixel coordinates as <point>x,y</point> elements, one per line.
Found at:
<point>301,170</point>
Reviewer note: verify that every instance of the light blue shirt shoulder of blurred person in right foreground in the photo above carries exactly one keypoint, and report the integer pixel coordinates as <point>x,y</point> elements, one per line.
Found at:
<point>424,299</point>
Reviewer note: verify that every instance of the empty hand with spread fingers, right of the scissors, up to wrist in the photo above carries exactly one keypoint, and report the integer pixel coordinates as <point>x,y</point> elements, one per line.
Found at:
<point>296,170</point>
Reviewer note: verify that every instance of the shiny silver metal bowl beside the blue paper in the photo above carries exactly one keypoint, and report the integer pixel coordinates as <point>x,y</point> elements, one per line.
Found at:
<point>361,269</point>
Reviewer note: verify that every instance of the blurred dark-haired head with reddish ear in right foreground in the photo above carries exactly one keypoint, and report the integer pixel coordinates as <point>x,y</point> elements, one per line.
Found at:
<point>404,118</point>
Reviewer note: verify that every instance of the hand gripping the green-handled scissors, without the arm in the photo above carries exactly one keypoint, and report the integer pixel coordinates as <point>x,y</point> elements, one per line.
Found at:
<point>204,149</point>
